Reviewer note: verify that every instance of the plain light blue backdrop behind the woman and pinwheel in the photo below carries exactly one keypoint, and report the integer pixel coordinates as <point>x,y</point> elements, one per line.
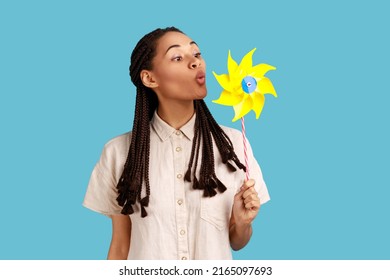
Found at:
<point>322,144</point>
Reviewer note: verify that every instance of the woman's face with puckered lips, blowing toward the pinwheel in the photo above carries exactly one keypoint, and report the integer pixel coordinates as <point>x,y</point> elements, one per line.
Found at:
<point>178,69</point>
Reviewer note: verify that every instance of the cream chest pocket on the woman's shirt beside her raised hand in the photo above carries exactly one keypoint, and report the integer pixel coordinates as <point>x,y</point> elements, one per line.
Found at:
<point>216,210</point>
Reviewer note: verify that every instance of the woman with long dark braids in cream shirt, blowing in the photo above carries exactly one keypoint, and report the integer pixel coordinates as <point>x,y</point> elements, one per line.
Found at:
<point>168,194</point>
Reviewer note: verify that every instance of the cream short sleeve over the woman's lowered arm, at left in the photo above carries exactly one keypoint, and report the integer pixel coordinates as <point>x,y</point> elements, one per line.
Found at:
<point>101,192</point>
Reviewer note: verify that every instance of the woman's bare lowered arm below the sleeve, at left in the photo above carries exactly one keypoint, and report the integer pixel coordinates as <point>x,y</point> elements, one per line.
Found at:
<point>121,235</point>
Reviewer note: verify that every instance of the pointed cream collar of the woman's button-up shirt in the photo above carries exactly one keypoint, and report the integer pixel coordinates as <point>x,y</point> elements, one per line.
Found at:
<point>164,130</point>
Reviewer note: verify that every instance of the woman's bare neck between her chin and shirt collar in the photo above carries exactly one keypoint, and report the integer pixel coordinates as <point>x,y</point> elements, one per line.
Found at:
<point>176,114</point>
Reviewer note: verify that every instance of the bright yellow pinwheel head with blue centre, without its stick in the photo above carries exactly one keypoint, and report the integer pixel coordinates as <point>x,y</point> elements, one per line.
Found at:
<point>245,85</point>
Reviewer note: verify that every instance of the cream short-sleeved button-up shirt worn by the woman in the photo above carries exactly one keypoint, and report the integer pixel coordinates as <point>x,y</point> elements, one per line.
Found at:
<point>181,223</point>
